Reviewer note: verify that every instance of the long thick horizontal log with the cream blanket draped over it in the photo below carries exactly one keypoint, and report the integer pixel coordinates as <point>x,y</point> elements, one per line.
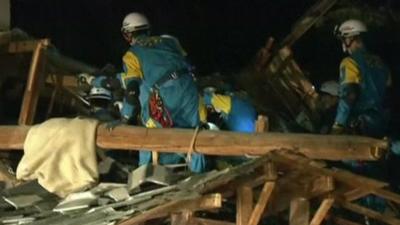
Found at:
<point>329,147</point>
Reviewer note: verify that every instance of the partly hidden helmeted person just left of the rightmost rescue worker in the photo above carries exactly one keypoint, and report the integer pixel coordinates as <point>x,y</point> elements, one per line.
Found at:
<point>327,104</point>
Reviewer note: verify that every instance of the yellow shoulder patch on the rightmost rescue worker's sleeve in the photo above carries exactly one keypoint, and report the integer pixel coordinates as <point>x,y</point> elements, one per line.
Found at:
<point>350,71</point>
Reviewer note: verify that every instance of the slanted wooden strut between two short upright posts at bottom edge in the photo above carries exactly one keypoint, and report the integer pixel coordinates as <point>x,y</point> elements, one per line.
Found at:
<point>261,203</point>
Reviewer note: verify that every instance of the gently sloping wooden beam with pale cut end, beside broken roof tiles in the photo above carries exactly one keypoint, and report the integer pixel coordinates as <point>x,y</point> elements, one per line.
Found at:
<point>210,201</point>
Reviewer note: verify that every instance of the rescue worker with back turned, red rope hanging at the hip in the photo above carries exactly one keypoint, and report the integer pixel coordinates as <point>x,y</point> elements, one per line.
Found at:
<point>159,81</point>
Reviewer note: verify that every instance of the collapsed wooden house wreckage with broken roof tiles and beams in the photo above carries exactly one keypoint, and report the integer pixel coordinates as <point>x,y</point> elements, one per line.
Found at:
<point>284,181</point>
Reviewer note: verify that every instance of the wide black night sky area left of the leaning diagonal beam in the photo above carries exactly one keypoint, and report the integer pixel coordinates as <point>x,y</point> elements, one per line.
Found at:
<point>218,35</point>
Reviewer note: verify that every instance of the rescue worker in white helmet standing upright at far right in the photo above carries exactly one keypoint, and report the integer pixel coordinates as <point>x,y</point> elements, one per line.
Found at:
<point>363,82</point>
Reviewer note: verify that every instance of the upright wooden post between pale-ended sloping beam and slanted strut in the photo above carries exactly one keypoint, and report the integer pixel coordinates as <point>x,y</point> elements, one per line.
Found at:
<point>244,204</point>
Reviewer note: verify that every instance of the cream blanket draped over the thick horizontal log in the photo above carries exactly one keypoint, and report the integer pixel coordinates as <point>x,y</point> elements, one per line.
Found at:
<point>61,154</point>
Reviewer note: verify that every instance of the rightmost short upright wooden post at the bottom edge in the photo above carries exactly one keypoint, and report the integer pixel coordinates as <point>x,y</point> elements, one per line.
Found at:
<point>299,212</point>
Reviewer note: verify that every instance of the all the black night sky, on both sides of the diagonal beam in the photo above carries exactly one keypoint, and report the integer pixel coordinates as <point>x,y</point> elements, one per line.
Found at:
<point>219,35</point>
